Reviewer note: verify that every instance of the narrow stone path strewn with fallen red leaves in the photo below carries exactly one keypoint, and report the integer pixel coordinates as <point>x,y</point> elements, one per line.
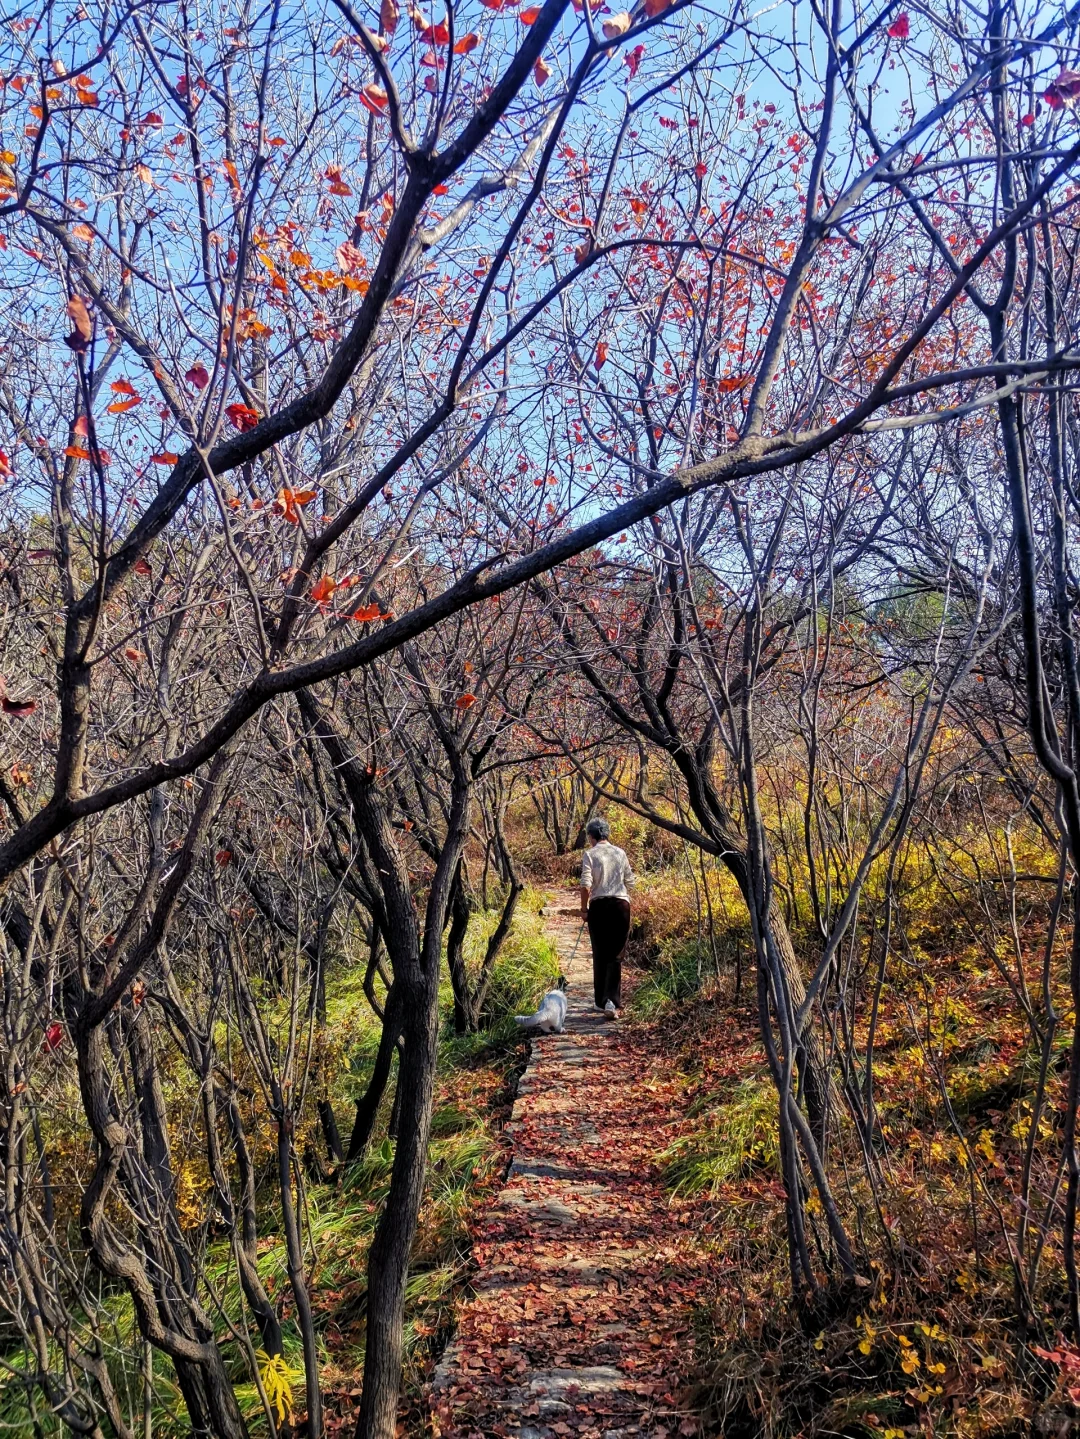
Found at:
<point>580,1319</point>
